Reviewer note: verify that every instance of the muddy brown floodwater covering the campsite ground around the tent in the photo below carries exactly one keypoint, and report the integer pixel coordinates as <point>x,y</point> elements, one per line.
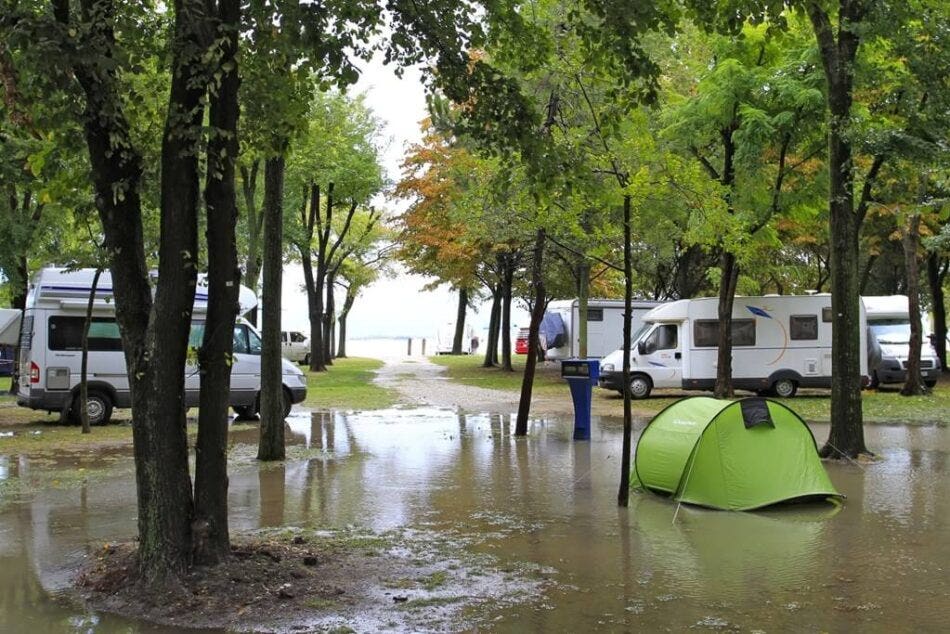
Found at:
<point>880,562</point>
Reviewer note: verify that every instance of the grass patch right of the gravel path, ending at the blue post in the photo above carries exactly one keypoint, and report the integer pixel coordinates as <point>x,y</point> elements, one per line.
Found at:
<point>467,369</point>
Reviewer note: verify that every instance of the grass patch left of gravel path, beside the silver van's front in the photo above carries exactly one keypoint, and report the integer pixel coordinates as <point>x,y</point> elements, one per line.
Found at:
<point>348,384</point>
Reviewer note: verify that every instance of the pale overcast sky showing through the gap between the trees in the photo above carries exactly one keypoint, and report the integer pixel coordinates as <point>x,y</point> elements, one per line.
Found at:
<point>392,307</point>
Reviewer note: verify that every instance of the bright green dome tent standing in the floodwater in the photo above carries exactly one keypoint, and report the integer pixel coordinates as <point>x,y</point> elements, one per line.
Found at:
<point>731,455</point>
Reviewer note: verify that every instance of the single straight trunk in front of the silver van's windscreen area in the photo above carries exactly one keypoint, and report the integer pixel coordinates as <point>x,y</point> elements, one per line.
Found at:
<point>272,416</point>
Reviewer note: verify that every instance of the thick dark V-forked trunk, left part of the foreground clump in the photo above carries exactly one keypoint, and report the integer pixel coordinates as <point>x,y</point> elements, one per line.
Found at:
<point>154,334</point>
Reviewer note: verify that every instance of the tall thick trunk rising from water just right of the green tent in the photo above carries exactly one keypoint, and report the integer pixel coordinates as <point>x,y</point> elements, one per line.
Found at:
<point>846,436</point>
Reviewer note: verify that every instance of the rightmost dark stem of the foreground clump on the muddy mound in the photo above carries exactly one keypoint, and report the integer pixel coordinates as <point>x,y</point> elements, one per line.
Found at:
<point>211,534</point>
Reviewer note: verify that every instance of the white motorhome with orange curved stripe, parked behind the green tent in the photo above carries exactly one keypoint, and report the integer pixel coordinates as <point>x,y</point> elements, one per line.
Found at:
<point>780,343</point>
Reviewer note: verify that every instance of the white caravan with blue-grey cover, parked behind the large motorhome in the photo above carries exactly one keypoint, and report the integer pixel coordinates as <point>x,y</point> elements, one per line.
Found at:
<point>604,326</point>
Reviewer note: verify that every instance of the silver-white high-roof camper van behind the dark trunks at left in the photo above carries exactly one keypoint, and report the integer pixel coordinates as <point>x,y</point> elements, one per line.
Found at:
<point>51,350</point>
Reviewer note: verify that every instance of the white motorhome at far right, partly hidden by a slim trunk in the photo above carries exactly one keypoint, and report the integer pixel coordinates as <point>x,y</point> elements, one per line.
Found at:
<point>889,323</point>
